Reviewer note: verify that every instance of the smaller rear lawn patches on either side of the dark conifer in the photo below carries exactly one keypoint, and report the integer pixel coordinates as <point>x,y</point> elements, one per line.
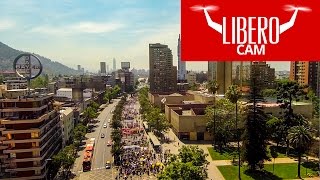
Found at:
<point>227,153</point>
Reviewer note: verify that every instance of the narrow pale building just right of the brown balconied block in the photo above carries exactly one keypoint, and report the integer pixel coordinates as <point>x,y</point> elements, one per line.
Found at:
<point>67,124</point>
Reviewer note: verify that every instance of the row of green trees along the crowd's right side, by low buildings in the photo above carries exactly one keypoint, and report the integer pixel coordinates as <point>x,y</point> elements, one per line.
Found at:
<point>156,120</point>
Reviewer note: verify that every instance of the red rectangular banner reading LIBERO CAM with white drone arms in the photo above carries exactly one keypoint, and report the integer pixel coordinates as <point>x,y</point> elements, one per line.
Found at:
<point>250,30</point>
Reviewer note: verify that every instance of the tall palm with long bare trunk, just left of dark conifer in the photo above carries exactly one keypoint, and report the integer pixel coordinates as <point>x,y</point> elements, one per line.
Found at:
<point>234,94</point>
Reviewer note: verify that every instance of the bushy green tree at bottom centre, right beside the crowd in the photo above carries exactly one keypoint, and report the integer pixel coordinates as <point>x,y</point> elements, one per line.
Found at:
<point>189,164</point>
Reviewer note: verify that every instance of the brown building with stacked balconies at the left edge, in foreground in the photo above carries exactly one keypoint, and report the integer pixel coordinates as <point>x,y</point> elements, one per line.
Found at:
<point>30,134</point>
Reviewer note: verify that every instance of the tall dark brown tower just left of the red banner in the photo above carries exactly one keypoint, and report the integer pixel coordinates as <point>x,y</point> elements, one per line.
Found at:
<point>161,77</point>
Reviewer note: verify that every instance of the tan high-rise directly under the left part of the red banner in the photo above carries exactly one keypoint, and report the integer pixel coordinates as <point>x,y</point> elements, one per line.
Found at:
<point>228,73</point>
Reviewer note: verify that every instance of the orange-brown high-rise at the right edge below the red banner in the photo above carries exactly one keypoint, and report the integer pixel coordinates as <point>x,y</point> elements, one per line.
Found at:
<point>305,73</point>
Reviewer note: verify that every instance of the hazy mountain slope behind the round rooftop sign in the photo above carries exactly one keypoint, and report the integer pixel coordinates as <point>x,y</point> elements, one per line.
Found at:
<point>8,54</point>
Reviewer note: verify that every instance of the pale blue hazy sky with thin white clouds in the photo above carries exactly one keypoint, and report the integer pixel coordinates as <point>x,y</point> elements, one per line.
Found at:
<point>89,31</point>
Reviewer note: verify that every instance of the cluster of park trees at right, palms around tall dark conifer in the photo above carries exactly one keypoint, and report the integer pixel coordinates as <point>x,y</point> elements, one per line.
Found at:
<point>227,122</point>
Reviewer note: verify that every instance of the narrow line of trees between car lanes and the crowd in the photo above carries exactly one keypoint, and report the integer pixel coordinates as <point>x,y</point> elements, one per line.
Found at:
<point>116,134</point>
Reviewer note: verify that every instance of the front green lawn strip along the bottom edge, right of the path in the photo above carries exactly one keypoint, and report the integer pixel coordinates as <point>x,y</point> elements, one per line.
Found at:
<point>281,171</point>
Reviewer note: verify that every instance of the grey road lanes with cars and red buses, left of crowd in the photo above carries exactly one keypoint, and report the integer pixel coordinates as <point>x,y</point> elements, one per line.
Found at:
<point>101,151</point>
